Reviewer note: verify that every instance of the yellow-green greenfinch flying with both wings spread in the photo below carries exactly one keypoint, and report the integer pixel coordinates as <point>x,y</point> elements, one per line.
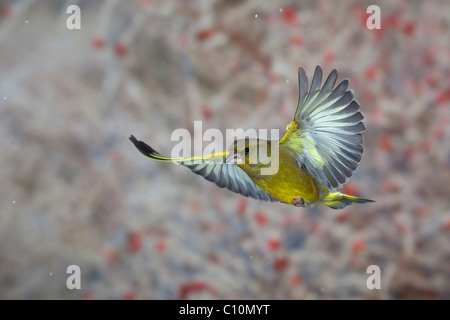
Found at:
<point>320,151</point>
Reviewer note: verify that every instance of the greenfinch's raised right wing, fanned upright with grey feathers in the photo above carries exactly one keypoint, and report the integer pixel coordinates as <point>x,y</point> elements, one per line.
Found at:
<point>326,129</point>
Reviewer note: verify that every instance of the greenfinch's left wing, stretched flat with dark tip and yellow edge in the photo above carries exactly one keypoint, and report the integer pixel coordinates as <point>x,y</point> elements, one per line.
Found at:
<point>224,175</point>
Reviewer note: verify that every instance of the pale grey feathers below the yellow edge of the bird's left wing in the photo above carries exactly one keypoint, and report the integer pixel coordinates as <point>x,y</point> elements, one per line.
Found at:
<point>229,176</point>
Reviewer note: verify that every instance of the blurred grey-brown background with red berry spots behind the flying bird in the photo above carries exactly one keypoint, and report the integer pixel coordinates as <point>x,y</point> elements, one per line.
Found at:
<point>75,191</point>
